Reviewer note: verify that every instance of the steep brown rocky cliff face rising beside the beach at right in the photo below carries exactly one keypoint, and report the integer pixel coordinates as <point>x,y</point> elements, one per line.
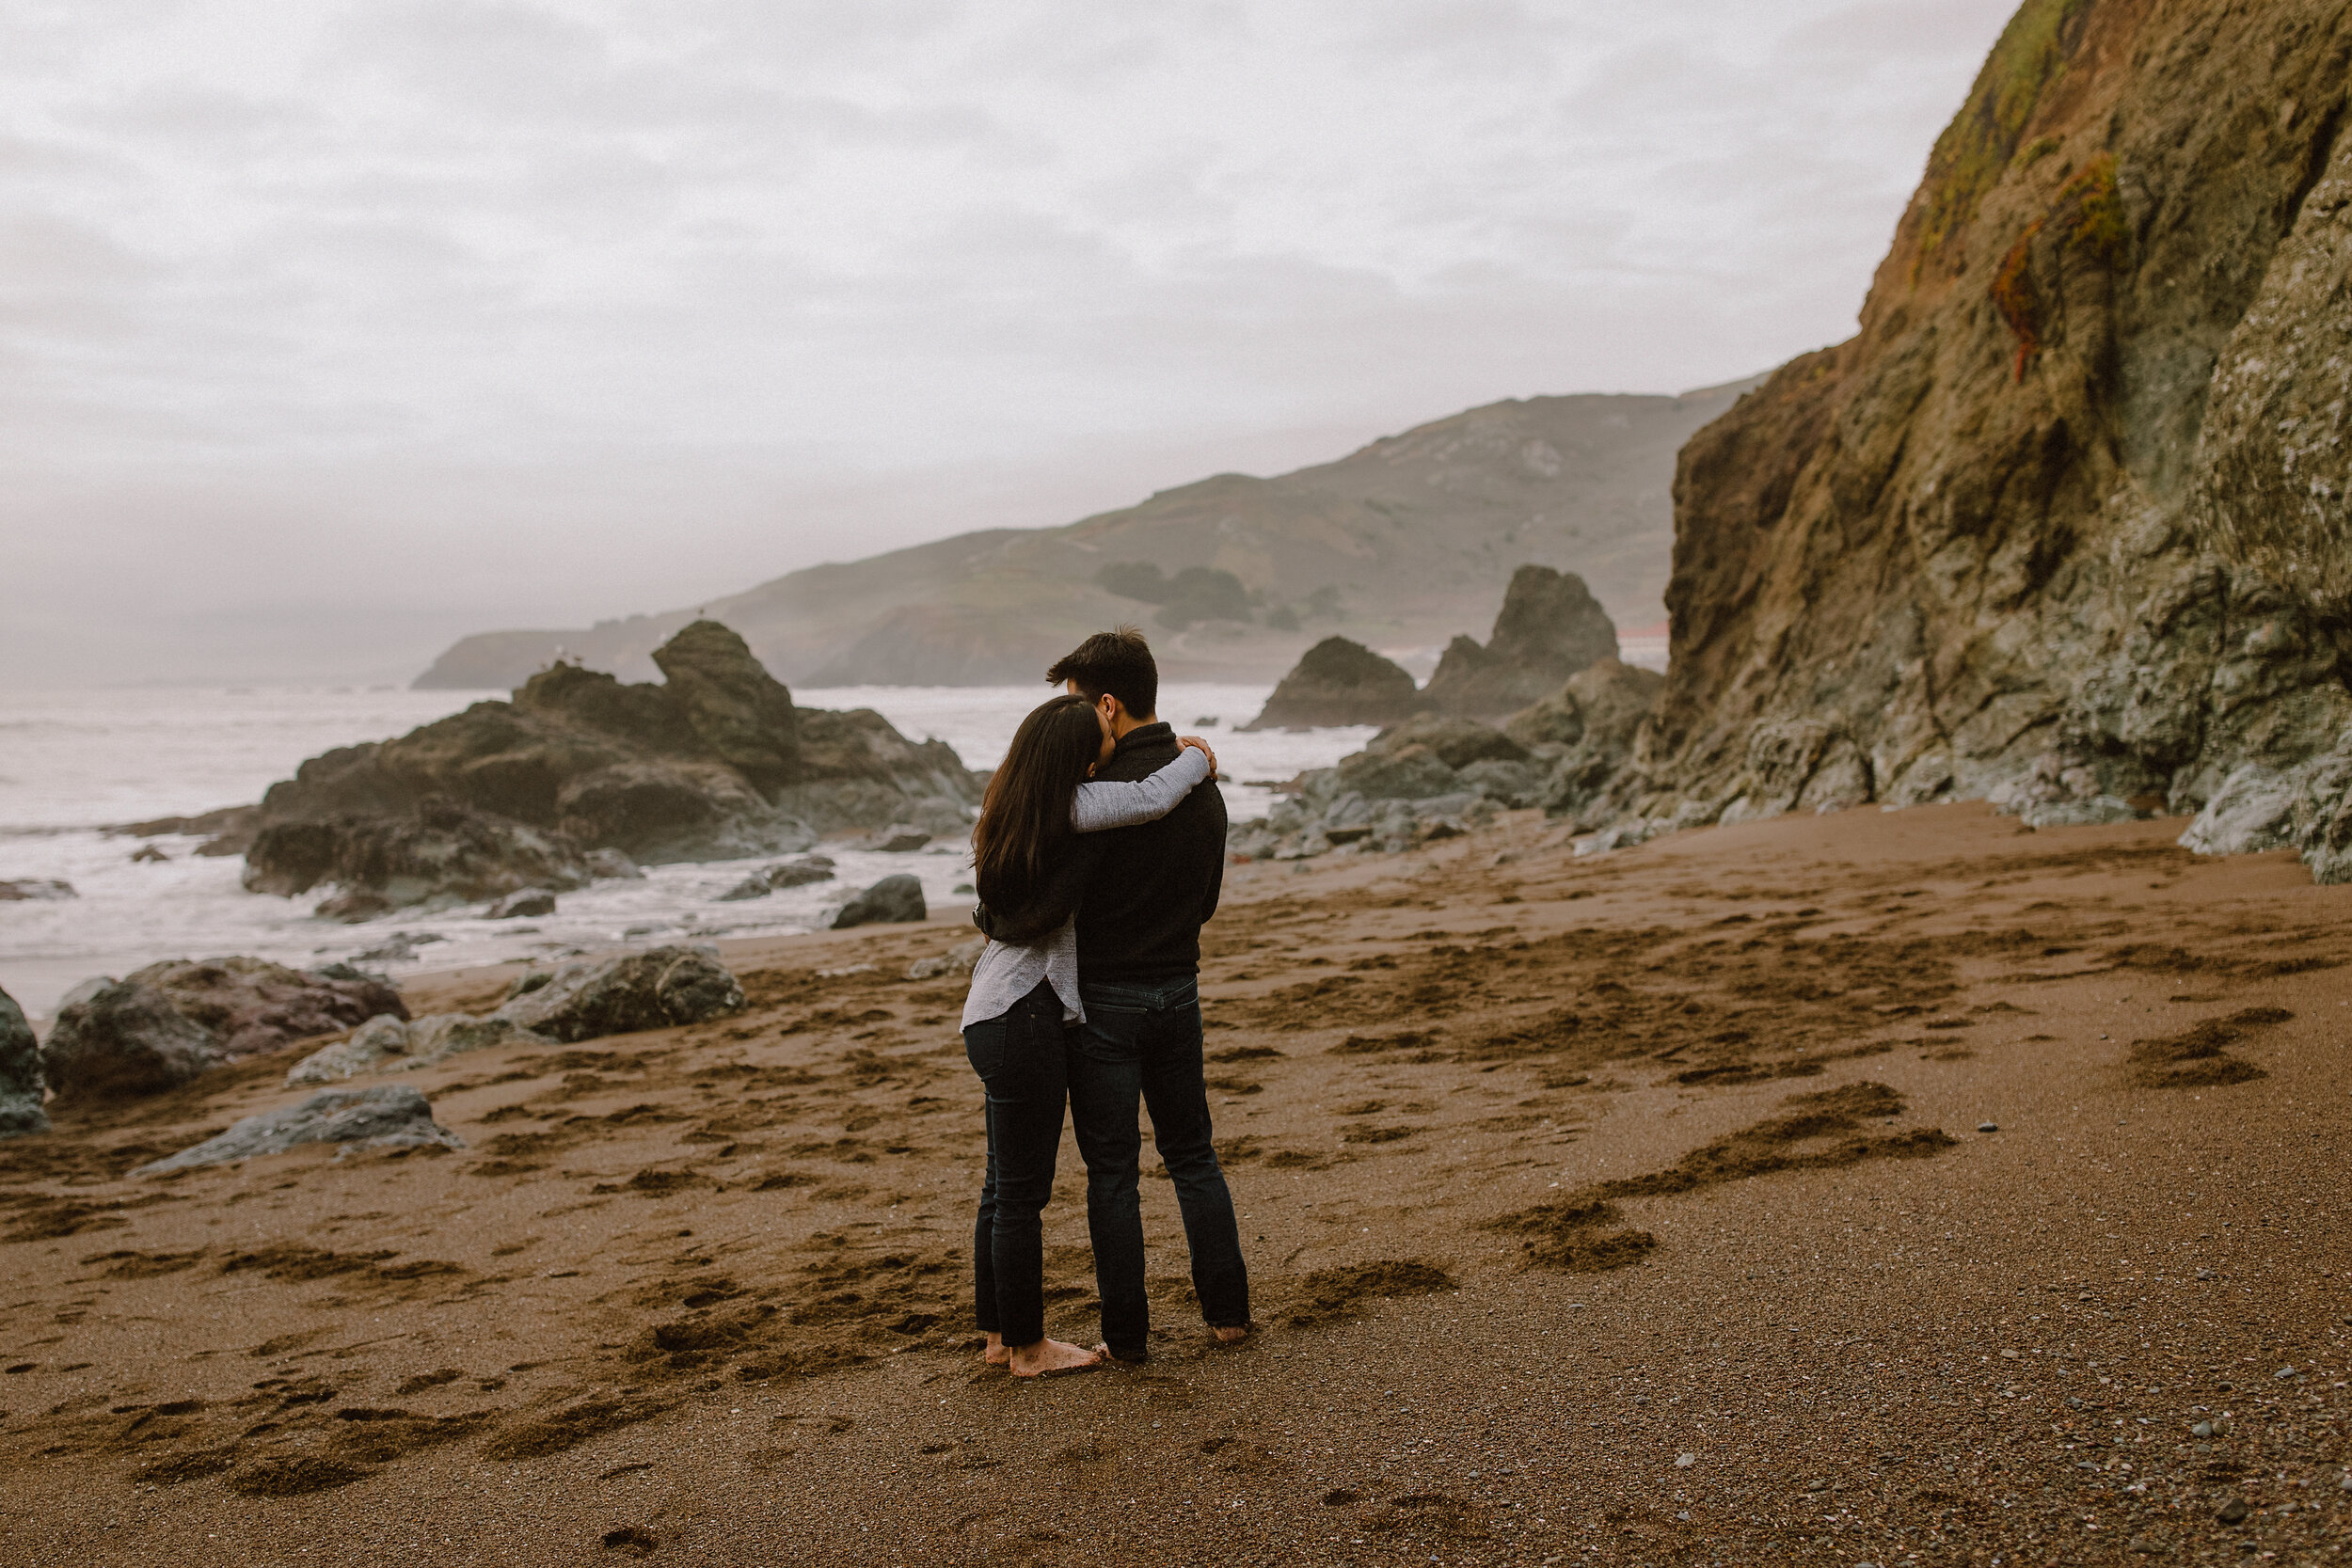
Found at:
<point>2010,537</point>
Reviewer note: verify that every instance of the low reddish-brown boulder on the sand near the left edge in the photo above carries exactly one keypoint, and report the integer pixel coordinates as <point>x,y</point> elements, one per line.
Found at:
<point>171,1021</point>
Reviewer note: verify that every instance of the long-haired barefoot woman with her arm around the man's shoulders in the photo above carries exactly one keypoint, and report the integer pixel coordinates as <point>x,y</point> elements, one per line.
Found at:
<point>1024,993</point>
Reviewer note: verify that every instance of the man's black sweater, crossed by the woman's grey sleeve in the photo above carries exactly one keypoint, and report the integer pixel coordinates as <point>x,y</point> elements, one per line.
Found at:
<point>1156,885</point>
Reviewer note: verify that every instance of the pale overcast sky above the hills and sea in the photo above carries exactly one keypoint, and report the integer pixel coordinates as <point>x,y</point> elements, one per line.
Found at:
<point>340,330</point>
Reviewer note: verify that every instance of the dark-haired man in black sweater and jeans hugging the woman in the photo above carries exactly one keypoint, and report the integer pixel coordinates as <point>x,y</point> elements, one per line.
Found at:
<point>1140,981</point>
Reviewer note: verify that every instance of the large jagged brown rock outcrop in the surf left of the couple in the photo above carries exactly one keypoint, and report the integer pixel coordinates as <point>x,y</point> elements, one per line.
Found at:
<point>580,770</point>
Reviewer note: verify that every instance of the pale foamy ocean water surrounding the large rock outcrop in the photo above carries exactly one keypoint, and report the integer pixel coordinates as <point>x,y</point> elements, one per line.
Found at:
<point>74,763</point>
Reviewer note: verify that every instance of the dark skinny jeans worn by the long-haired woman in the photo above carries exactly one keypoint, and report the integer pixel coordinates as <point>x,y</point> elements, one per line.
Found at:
<point>1024,1066</point>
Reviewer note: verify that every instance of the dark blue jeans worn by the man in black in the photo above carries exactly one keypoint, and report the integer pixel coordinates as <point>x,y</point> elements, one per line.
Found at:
<point>1142,1043</point>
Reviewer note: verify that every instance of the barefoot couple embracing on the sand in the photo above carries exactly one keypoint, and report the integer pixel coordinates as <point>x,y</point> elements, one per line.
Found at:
<point>1100,855</point>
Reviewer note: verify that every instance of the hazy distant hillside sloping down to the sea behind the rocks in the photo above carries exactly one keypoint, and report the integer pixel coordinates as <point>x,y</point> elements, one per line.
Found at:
<point>1398,544</point>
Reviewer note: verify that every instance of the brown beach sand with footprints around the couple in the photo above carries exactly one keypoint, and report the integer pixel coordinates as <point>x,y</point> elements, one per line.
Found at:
<point>1601,1212</point>
